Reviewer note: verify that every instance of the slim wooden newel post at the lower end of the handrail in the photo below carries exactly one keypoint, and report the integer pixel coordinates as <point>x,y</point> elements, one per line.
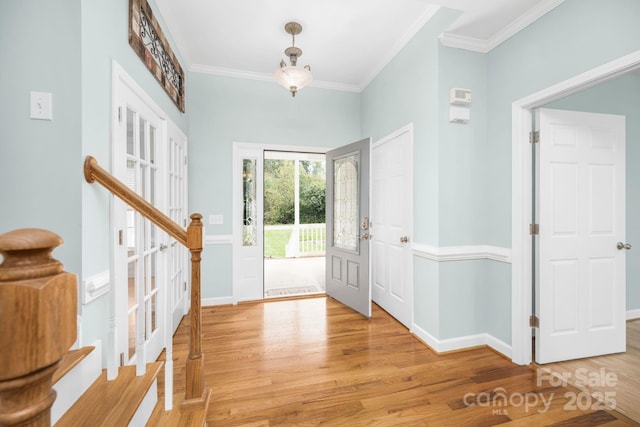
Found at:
<point>195,392</point>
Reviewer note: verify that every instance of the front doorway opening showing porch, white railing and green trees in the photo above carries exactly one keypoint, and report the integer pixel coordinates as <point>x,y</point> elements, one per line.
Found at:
<point>294,186</point>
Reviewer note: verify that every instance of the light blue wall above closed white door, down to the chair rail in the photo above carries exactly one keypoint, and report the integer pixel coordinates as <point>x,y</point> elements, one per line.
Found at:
<point>407,91</point>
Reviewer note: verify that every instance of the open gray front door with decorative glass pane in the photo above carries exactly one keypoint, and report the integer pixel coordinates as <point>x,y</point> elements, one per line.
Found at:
<point>347,207</point>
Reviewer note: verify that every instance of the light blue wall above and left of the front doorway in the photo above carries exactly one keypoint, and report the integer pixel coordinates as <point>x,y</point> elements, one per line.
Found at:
<point>223,110</point>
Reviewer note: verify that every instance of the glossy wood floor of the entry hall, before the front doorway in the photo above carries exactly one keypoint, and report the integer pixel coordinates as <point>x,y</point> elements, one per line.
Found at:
<point>312,361</point>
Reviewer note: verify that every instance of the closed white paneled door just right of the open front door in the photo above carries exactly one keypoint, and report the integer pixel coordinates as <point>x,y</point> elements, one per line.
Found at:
<point>391,224</point>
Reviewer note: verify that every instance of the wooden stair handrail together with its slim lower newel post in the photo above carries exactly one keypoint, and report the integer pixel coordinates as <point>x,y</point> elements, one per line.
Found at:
<point>196,393</point>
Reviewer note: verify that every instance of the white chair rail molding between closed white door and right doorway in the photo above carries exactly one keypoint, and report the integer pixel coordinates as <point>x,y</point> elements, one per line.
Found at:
<point>462,253</point>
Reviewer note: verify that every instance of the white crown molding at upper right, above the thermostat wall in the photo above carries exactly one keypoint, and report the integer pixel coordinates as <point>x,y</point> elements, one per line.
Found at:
<point>484,46</point>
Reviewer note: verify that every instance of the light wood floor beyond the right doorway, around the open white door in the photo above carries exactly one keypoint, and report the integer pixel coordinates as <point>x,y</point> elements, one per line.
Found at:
<point>616,376</point>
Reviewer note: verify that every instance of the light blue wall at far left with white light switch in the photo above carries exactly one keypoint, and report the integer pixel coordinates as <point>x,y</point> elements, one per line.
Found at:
<point>40,51</point>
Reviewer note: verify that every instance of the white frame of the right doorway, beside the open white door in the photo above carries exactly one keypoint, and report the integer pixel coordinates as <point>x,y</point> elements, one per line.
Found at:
<point>521,200</point>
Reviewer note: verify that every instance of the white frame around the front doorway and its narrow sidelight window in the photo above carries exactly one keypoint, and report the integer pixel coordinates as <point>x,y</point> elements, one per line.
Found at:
<point>240,150</point>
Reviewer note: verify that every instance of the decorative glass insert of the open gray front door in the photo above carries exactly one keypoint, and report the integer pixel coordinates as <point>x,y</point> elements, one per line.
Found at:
<point>345,202</point>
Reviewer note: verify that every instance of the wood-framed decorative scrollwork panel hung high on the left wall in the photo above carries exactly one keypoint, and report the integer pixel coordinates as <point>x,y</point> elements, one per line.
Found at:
<point>148,41</point>
